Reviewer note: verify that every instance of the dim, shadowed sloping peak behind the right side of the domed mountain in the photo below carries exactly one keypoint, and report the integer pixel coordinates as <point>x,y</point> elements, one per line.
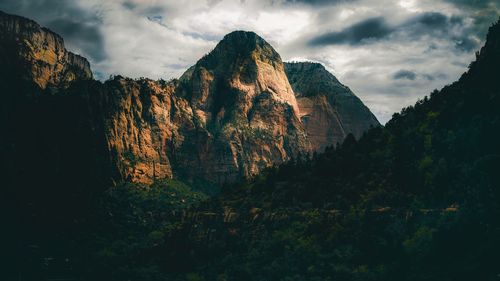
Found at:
<point>328,109</point>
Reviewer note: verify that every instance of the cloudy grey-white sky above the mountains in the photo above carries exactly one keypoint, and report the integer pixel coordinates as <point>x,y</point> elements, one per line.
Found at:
<point>389,52</point>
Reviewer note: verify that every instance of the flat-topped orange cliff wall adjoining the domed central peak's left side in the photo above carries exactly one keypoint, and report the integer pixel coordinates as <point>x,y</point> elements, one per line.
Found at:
<point>138,122</point>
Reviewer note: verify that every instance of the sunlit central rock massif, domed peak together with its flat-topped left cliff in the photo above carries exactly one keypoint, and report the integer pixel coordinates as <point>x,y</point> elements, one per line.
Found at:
<point>229,116</point>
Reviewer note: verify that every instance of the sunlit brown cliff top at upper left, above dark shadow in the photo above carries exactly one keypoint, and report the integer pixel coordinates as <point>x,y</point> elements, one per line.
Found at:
<point>38,54</point>
